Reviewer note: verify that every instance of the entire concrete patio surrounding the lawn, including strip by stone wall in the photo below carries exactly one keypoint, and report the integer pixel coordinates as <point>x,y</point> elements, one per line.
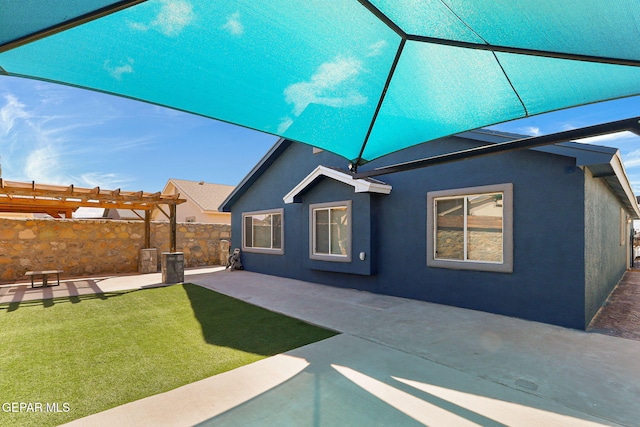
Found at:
<point>397,362</point>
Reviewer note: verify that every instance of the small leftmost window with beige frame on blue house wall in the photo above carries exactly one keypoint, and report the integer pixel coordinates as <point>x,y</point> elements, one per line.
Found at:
<point>263,231</point>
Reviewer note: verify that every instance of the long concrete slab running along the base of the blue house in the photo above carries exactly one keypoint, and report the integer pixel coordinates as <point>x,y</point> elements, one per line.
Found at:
<point>592,373</point>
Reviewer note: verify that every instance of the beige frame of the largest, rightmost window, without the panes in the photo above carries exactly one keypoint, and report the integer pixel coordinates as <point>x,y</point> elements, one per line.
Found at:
<point>506,266</point>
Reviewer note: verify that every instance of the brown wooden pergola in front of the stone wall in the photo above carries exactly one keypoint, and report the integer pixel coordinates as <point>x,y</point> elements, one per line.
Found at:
<point>60,201</point>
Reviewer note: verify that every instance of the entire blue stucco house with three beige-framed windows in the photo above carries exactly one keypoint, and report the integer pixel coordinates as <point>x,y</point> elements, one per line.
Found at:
<point>540,234</point>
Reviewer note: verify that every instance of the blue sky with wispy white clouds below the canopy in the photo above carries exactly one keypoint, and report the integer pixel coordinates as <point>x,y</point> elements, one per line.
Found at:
<point>62,135</point>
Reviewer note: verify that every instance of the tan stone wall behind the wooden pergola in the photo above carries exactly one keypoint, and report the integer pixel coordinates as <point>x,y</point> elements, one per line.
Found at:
<point>88,247</point>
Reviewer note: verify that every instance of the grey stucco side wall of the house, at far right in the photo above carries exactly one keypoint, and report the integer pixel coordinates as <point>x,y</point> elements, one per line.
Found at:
<point>605,257</point>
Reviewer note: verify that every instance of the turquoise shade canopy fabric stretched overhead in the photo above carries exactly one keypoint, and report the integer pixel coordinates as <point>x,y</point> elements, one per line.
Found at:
<point>358,78</point>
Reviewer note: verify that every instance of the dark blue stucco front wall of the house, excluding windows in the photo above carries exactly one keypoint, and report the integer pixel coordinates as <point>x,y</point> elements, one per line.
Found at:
<point>547,283</point>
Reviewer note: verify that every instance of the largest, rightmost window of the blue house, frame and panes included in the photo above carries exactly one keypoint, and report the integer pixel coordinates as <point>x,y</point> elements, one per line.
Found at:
<point>471,228</point>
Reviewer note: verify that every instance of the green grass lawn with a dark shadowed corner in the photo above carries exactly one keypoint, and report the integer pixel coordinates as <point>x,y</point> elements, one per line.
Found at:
<point>88,354</point>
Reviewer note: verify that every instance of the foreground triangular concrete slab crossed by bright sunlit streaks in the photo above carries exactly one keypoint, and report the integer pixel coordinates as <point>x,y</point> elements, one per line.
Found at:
<point>344,380</point>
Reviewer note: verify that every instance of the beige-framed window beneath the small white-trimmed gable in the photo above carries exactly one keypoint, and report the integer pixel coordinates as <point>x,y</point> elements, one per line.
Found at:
<point>330,231</point>
